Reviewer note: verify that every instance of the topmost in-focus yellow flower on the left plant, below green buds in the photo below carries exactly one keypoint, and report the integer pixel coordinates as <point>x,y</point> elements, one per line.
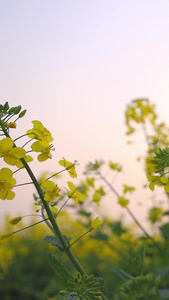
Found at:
<point>39,132</point>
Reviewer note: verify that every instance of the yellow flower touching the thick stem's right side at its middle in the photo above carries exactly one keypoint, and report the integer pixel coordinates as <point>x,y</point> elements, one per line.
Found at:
<point>52,190</point>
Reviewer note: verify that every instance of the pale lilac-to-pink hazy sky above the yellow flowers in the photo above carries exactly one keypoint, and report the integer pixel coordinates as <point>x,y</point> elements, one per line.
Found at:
<point>75,65</point>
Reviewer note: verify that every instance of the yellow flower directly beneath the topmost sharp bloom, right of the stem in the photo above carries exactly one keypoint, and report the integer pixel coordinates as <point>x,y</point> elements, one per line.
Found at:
<point>44,148</point>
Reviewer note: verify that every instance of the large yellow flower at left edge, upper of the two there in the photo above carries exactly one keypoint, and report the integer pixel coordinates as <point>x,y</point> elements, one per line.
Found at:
<point>10,154</point>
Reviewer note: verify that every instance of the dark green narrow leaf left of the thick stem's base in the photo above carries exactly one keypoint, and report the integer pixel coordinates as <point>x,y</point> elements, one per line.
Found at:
<point>59,269</point>
